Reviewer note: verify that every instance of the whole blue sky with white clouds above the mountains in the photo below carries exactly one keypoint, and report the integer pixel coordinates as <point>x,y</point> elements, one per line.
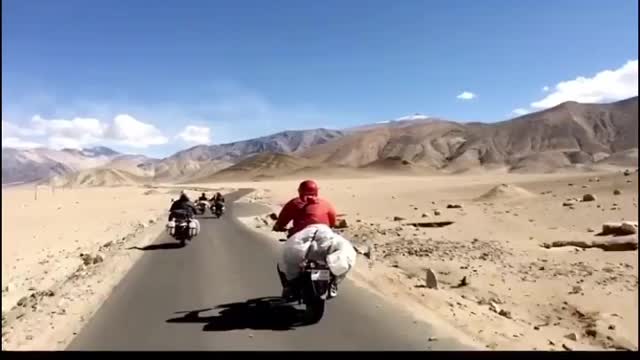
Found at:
<point>135,74</point>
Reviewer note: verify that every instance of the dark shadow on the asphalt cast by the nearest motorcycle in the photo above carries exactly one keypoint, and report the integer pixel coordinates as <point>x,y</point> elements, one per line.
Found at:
<point>266,313</point>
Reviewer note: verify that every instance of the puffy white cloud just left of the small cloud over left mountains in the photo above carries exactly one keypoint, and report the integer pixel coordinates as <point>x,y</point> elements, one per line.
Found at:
<point>132,132</point>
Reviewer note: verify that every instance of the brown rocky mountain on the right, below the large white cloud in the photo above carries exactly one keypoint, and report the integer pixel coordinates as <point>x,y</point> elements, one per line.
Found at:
<point>570,133</point>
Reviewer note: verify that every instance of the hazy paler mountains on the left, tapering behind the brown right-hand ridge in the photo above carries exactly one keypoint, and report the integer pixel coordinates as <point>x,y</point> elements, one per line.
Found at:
<point>20,166</point>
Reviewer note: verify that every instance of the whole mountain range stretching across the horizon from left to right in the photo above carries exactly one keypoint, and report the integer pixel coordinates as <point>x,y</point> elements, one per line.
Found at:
<point>569,135</point>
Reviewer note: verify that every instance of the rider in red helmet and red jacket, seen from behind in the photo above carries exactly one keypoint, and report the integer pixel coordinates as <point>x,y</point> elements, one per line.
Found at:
<point>306,209</point>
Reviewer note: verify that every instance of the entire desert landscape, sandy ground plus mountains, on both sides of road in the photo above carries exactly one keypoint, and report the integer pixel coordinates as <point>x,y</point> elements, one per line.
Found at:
<point>506,219</point>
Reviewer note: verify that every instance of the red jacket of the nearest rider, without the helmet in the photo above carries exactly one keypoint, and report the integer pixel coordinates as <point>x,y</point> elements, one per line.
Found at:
<point>303,214</point>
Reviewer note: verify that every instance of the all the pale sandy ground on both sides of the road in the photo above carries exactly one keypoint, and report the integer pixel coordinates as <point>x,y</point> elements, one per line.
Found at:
<point>519,295</point>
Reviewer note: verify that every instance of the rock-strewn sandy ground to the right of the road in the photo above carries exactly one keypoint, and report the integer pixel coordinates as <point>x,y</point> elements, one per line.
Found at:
<point>519,295</point>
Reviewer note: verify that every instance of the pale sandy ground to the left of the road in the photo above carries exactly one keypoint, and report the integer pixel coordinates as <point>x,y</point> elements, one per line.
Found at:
<point>48,291</point>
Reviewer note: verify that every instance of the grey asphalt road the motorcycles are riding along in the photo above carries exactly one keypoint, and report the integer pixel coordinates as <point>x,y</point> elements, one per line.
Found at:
<point>220,292</point>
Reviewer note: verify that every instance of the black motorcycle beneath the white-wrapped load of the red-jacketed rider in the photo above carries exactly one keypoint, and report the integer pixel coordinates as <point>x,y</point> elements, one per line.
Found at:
<point>311,288</point>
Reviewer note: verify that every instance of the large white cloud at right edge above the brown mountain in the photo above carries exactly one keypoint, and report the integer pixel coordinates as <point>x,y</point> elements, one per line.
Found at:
<point>605,86</point>
